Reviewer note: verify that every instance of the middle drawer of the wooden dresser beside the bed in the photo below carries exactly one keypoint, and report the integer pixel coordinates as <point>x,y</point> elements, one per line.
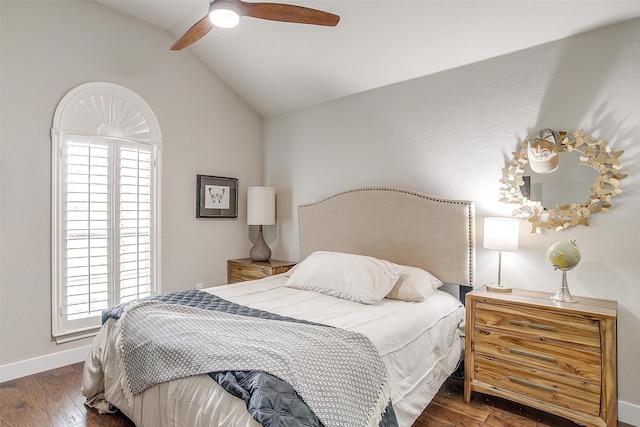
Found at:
<point>565,360</point>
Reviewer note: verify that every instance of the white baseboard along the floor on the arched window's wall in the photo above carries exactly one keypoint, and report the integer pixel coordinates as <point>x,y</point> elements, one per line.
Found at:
<point>23,368</point>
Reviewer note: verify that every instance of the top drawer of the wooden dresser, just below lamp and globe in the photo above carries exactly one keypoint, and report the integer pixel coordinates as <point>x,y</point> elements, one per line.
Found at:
<point>537,324</point>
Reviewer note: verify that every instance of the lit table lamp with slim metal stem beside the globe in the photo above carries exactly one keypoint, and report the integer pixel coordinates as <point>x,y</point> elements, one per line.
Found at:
<point>501,234</point>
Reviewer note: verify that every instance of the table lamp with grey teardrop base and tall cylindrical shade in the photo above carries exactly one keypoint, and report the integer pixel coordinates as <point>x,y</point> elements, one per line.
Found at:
<point>261,210</point>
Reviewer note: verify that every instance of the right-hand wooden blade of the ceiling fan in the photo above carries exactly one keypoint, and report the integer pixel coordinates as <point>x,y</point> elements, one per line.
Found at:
<point>288,13</point>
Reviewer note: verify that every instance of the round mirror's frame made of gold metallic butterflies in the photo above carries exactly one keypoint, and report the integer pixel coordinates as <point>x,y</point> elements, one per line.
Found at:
<point>596,154</point>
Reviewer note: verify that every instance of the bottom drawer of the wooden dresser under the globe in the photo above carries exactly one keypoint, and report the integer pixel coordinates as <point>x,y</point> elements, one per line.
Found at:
<point>556,389</point>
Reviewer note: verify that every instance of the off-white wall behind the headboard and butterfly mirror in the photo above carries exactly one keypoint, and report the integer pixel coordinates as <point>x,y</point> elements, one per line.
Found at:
<point>450,135</point>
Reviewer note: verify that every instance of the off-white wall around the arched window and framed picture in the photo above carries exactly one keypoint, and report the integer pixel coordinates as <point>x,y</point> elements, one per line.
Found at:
<point>48,48</point>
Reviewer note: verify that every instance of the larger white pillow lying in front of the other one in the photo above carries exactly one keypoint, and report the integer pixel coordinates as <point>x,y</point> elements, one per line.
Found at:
<point>357,278</point>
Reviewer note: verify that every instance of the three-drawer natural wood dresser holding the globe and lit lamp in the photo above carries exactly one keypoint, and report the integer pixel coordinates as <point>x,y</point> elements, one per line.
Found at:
<point>557,357</point>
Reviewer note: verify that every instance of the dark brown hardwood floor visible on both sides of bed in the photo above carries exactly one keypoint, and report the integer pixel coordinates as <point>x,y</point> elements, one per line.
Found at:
<point>53,399</point>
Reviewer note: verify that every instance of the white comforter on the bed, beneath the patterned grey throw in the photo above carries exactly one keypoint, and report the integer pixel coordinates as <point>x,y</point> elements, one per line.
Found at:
<point>420,343</point>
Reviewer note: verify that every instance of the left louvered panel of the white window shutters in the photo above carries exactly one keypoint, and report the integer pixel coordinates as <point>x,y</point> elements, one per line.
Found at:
<point>87,245</point>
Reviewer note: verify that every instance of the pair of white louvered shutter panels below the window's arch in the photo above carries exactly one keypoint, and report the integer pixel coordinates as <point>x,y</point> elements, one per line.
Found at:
<point>107,217</point>
